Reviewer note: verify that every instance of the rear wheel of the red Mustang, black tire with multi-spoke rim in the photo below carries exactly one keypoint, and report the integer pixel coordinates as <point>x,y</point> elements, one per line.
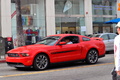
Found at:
<point>92,56</point>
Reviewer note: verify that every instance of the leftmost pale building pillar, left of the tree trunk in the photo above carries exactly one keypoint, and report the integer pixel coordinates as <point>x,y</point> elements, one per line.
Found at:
<point>6,18</point>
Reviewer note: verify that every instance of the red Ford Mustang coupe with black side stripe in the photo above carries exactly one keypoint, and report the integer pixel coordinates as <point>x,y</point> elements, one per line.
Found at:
<point>53,49</point>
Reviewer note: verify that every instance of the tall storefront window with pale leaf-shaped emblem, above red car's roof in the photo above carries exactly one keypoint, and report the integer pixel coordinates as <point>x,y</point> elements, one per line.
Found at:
<point>68,23</point>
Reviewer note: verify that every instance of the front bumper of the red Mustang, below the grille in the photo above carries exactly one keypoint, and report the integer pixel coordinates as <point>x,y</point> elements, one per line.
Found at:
<point>19,61</point>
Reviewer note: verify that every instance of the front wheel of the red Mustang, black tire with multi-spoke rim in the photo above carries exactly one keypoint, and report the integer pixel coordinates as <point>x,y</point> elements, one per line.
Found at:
<point>41,62</point>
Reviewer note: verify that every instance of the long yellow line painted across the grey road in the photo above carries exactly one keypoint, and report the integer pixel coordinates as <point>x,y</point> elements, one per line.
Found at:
<point>38,72</point>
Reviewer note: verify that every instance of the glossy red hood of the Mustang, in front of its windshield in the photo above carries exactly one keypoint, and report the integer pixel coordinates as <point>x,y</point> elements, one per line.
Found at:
<point>26,49</point>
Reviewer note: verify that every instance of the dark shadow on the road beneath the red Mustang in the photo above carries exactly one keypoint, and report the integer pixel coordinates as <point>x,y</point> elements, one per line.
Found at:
<point>61,66</point>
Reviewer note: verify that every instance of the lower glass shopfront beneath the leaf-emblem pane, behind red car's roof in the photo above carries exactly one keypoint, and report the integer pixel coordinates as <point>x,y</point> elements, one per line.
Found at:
<point>69,25</point>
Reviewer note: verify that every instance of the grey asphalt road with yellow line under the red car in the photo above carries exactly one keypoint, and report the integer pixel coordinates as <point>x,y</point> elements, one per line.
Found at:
<point>71,71</point>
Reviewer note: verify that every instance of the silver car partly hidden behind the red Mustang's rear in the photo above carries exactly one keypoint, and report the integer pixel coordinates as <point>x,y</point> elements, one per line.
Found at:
<point>108,39</point>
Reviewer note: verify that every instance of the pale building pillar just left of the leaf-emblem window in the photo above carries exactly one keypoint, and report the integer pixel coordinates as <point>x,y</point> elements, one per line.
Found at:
<point>50,17</point>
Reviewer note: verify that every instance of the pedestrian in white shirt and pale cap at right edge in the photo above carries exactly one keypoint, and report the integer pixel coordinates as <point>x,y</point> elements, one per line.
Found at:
<point>116,71</point>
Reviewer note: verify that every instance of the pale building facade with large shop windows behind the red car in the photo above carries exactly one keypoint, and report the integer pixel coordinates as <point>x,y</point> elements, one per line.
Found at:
<point>47,17</point>
